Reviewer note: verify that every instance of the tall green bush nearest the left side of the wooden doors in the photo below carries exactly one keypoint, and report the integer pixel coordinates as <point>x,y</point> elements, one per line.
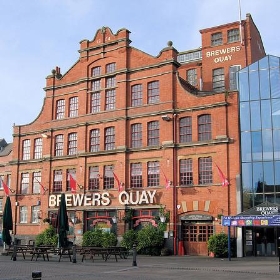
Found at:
<point>150,240</point>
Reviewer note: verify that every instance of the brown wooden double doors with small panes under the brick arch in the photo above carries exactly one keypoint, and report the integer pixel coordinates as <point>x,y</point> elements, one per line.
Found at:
<point>195,237</point>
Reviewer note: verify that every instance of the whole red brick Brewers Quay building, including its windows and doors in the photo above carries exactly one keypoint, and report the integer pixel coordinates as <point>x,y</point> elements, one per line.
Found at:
<point>125,124</point>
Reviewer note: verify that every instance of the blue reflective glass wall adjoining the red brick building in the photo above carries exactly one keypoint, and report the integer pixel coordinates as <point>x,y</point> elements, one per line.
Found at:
<point>259,100</point>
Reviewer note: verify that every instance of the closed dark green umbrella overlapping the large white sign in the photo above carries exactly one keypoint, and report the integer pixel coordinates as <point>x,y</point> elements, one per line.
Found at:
<point>62,224</point>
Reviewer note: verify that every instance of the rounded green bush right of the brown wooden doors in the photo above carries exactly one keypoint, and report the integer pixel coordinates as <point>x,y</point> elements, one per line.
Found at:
<point>218,244</point>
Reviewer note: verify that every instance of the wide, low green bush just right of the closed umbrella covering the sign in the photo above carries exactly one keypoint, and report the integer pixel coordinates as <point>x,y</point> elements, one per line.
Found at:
<point>99,238</point>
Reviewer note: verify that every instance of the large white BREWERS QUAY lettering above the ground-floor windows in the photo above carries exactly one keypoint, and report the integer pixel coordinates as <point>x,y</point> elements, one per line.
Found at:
<point>103,199</point>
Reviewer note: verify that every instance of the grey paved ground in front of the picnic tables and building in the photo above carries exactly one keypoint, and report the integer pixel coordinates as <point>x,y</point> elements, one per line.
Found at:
<point>147,268</point>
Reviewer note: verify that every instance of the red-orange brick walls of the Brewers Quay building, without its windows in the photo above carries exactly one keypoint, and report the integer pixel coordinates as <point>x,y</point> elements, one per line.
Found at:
<point>177,99</point>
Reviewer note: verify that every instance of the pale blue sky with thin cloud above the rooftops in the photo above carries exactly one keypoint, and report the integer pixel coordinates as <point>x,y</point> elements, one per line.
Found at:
<point>38,35</point>
